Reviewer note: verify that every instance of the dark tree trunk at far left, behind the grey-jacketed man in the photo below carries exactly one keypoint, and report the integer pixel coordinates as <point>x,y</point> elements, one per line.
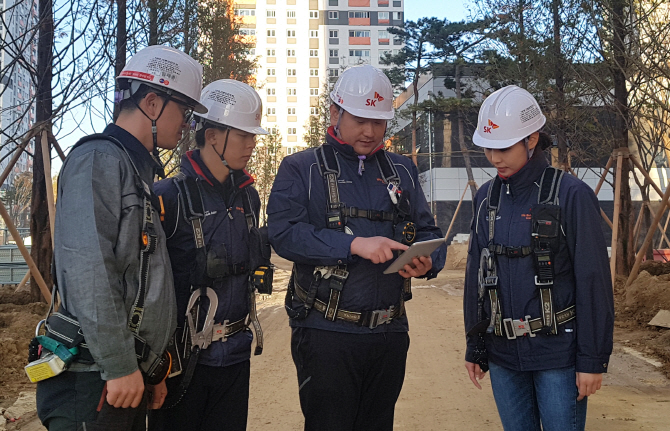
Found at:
<point>40,230</point>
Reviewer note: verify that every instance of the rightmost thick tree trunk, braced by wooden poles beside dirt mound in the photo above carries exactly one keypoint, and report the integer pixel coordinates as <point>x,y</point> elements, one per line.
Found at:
<point>625,249</point>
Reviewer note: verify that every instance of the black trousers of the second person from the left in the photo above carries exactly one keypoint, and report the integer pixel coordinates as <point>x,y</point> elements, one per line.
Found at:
<point>217,399</point>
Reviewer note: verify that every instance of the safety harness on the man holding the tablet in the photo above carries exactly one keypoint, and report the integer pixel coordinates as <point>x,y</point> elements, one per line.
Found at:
<point>336,214</point>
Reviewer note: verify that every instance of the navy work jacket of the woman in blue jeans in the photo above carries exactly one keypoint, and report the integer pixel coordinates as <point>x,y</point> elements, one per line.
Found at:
<point>581,276</point>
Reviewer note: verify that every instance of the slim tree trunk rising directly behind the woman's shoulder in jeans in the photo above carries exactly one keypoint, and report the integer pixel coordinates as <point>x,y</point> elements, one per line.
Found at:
<point>560,88</point>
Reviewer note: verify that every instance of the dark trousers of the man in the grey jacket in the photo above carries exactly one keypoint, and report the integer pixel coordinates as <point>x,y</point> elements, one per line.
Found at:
<point>74,401</point>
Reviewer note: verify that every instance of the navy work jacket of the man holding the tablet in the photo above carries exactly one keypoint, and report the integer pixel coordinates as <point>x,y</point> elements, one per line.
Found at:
<point>297,229</point>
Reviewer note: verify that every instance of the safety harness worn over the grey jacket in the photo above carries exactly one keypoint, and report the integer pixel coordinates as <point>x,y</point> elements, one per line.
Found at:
<point>65,329</point>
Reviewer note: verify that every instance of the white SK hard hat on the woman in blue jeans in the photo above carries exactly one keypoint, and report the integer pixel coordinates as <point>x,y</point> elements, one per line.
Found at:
<point>506,117</point>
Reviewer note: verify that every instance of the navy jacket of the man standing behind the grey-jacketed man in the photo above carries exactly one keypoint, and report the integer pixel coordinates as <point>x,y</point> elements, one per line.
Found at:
<point>225,230</point>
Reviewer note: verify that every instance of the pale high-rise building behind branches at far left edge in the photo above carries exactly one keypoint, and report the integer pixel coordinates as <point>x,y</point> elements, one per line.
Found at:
<point>17,110</point>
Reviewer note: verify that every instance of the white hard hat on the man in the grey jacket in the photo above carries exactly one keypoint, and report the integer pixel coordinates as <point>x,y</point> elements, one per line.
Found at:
<point>166,69</point>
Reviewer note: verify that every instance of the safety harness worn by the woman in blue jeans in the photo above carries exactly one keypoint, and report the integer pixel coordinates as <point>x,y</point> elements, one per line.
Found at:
<point>546,237</point>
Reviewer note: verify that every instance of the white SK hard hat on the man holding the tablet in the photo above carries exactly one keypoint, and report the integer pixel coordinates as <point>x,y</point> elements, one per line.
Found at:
<point>364,91</point>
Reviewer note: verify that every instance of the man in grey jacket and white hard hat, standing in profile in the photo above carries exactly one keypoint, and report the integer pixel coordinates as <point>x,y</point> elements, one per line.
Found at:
<point>111,263</point>
